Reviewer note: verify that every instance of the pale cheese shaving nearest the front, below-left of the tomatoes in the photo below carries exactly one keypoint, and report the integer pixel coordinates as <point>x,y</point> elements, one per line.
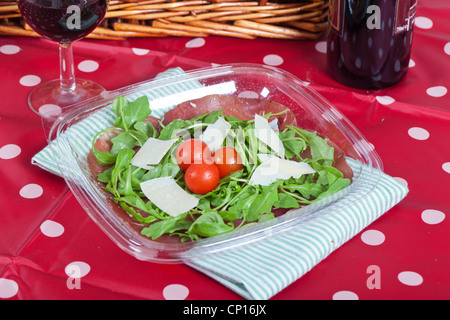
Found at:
<point>167,195</point>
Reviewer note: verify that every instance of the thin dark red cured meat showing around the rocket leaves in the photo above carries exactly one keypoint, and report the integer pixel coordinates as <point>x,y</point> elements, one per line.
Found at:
<point>242,108</point>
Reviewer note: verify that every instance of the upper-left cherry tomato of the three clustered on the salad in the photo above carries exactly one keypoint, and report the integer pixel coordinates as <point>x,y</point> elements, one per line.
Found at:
<point>192,151</point>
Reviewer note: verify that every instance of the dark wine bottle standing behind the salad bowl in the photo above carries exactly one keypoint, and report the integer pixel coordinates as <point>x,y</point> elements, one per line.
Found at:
<point>369,41</point>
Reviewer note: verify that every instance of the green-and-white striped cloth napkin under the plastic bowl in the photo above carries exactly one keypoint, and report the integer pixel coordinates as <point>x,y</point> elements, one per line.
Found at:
<point>261,269</point>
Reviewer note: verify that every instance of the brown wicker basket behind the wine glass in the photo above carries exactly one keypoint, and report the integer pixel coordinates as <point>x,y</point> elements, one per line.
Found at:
<point>305,20</point>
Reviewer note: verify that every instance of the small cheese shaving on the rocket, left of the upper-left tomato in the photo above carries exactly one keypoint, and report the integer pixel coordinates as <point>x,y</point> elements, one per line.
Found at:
<point>151,153</point>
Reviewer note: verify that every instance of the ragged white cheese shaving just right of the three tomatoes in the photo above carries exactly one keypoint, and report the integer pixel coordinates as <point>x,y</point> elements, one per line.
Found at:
<point>273,168</point>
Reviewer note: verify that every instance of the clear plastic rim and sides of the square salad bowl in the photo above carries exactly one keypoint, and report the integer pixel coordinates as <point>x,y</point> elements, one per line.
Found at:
<point>312,111</point>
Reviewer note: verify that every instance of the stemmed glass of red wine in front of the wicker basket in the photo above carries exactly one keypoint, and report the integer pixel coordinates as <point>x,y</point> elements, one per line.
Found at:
<point>63,21</point>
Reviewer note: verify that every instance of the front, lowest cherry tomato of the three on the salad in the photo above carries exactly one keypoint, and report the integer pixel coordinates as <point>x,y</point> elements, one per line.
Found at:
<point>202,178</point>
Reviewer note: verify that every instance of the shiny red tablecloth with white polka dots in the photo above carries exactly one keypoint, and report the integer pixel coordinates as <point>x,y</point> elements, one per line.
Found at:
<point>45,235</point>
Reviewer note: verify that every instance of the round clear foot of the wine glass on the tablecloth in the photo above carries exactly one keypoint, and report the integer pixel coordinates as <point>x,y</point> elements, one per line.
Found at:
<point>49,100</point>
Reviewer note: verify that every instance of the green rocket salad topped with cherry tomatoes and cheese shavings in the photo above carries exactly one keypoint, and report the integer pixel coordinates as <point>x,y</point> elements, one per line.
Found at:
<point>226,189</point>
